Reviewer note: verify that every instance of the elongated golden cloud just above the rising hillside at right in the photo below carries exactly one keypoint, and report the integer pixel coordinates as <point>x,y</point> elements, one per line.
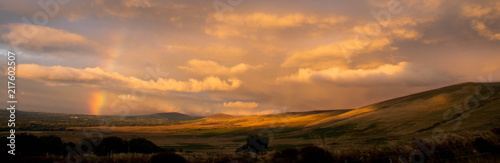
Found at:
<point>387,74</point>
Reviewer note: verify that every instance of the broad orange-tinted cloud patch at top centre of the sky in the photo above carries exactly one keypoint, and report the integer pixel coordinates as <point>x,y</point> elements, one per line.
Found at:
<point>249,25</point>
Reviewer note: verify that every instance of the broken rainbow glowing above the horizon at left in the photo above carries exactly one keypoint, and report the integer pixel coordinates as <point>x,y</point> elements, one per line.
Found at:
<point>97,99</point>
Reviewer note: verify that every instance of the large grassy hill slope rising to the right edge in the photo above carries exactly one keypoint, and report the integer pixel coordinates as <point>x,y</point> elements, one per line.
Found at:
<point>411,116</point>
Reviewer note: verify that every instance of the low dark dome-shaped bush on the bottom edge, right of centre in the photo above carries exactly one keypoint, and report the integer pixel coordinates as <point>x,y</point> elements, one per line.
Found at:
<point>315,154</point>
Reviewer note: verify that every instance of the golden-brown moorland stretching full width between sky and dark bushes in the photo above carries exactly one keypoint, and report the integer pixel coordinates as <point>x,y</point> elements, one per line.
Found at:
<point>454,116</point>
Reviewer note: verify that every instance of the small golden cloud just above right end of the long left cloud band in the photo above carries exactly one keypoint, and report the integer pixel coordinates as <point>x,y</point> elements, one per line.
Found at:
<point>207,67</point>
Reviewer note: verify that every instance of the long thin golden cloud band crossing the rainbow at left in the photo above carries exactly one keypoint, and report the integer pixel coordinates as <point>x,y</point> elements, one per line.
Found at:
<point>96,75</point>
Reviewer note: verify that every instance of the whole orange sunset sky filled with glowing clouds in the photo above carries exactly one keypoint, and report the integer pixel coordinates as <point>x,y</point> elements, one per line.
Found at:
<point>242,57</point>
